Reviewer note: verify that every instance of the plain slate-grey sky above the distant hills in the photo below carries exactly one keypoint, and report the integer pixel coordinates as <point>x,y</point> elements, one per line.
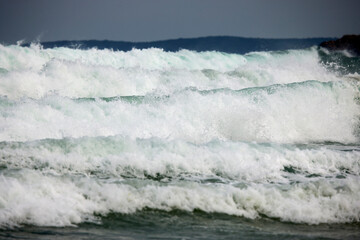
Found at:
<point>146,20</point>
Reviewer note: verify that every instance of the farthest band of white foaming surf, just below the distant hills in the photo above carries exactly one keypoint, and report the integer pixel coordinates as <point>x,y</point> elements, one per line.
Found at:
<point>35,72</point>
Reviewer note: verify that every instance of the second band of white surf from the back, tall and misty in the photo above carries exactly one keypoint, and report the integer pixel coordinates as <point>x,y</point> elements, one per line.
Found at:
<point>307,112</point>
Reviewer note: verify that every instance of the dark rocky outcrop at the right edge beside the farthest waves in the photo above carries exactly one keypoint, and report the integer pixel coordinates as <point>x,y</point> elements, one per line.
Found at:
<point>350,43</point>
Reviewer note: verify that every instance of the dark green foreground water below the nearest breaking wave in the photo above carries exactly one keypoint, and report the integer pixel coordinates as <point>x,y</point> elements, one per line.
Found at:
<point>183,225</point>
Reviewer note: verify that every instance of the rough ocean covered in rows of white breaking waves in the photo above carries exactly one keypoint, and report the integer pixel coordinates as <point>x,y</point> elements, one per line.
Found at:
<point>156,143</point>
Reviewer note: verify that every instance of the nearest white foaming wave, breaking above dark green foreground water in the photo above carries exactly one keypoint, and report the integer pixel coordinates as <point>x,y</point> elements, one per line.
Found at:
<point>32,198</point>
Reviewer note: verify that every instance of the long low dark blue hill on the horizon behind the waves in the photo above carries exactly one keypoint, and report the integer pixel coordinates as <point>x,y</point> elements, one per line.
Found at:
<point>221,43</point>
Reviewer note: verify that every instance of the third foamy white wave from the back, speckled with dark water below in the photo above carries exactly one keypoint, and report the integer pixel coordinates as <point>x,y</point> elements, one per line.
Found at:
<point>118,156</point>
